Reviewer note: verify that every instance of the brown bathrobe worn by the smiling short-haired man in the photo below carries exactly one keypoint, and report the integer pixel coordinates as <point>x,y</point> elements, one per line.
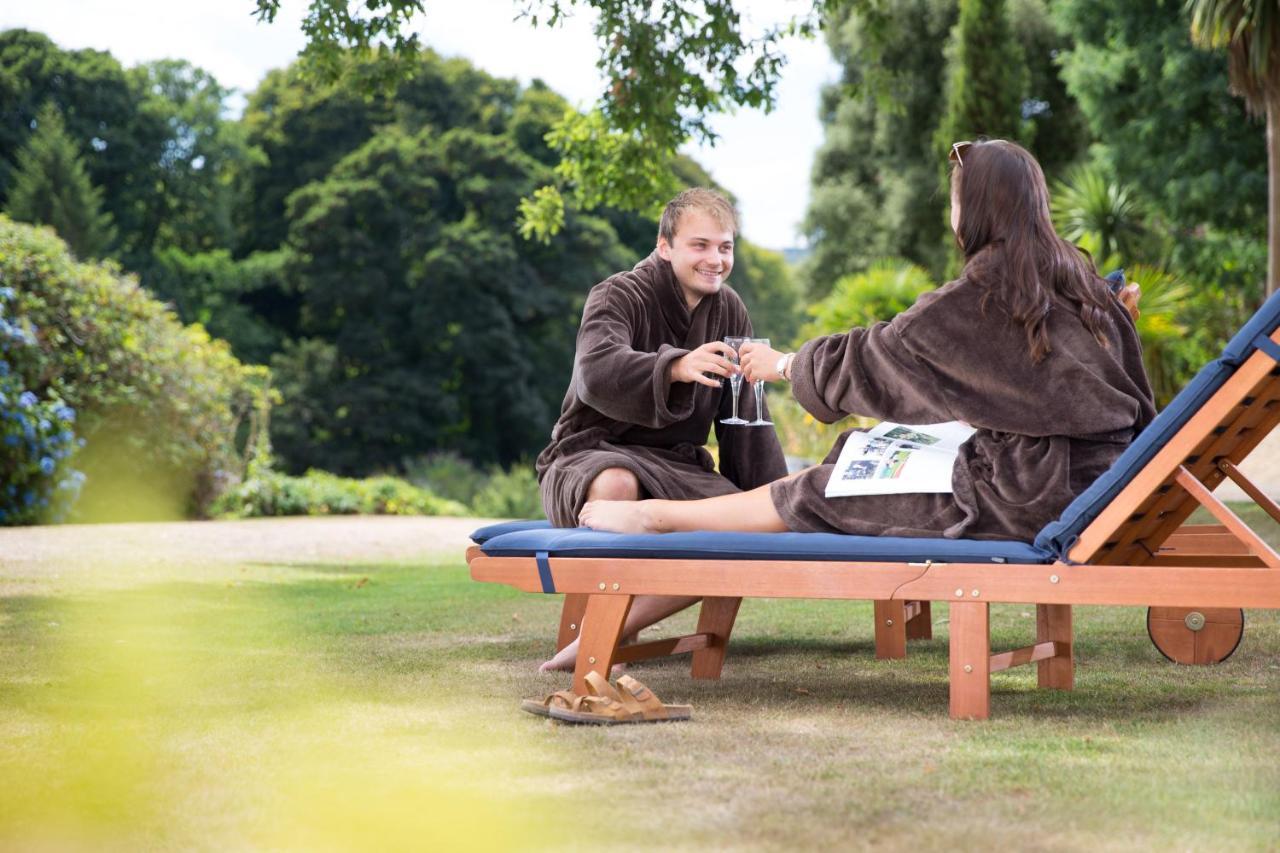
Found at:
<point>621,409</point>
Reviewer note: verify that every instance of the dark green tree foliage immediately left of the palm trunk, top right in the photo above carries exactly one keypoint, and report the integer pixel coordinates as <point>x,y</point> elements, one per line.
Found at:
<point>1162,115</point>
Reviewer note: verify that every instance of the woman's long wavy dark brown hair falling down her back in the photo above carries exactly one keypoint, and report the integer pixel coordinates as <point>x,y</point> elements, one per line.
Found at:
<point>1011,247</point>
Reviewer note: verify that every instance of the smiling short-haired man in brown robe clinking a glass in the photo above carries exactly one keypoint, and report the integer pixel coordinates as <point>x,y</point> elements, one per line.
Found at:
<point>647,387</point>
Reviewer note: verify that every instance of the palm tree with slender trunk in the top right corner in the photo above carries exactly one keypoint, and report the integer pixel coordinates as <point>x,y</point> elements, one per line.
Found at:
<point>1250,30</point>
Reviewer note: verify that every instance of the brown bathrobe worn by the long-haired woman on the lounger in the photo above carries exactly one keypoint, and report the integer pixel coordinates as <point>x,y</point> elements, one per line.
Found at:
<point>1045,431</point>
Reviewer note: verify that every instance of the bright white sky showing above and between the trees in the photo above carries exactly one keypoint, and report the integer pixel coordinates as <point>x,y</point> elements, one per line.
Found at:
<point>765,161</point>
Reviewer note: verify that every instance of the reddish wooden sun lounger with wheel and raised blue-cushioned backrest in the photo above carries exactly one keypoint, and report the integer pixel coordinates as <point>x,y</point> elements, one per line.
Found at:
<point>1132,549</point>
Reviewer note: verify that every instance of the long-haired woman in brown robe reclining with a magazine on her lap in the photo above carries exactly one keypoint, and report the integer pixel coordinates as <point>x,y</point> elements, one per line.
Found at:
<point>1028,346</point>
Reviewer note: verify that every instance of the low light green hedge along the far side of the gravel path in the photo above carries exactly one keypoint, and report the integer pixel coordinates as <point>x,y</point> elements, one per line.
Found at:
<point>269,494</point>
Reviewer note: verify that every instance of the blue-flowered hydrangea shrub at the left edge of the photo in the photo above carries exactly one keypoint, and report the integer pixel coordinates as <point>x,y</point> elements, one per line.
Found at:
<point>36,437</point>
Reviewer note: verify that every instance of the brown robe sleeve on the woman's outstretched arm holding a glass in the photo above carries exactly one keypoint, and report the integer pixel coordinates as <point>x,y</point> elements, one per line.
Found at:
<point>868,372</point>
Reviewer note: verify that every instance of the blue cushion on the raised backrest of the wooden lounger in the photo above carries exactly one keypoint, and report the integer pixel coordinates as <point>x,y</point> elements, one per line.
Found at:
<point>1062,535</point>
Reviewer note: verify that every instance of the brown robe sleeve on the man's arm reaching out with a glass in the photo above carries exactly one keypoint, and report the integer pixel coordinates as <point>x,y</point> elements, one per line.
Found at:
<point>616,380</point>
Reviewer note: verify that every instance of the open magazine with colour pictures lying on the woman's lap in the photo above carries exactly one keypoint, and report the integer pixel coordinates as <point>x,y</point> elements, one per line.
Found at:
<point>897,459</point>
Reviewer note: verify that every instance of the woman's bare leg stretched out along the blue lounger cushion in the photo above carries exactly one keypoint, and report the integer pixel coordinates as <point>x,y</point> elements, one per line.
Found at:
<point>748,512</point>
